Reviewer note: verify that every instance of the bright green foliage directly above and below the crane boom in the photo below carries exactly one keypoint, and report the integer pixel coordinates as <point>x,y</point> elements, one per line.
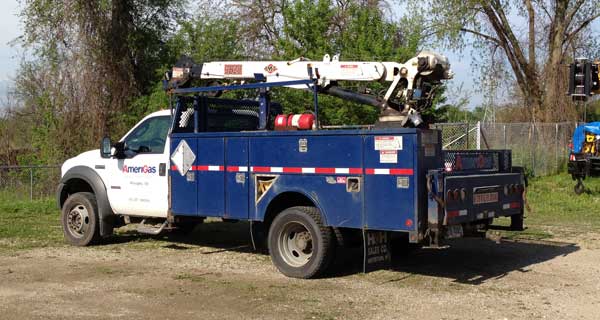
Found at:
<point>364,34</point>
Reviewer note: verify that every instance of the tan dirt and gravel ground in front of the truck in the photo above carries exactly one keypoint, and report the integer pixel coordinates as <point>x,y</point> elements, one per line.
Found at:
<point>137,277</point>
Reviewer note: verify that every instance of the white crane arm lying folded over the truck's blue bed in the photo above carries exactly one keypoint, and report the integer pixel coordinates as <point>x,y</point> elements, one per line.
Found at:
<point>411,91</point>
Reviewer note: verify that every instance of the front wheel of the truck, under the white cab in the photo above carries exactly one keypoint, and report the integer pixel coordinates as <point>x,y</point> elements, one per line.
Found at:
<point>79,219</point>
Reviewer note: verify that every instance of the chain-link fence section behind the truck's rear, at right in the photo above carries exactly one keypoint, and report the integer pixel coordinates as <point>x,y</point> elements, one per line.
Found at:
<point>542,148</point>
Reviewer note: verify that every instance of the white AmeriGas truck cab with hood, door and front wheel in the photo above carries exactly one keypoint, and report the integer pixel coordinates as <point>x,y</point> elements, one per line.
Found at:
<point>134,184</point>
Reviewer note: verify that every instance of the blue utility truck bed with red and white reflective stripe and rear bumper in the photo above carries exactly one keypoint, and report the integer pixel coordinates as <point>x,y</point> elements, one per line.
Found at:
<point>362,179</point>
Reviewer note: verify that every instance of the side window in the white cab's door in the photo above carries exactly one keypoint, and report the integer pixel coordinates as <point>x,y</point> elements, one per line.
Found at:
<point>149,136</point>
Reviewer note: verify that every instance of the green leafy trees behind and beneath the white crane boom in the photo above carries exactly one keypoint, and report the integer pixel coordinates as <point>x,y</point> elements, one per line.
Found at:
<point>357,30</point>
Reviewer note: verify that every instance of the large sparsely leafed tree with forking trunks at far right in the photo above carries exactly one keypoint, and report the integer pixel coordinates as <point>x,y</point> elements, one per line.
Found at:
<point>536,61</point>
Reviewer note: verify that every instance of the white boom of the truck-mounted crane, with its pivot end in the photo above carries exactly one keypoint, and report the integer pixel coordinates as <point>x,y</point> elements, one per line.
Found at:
<point>410,81</point>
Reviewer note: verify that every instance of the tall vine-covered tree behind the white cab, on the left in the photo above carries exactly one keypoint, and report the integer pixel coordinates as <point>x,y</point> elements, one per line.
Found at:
<point>90,59</point>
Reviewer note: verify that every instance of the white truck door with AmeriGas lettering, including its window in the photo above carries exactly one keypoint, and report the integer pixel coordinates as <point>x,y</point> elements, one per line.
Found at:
<point>140,180</point>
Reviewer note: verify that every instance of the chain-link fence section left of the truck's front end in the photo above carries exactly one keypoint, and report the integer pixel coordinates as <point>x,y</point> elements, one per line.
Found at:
<point>29,182</point>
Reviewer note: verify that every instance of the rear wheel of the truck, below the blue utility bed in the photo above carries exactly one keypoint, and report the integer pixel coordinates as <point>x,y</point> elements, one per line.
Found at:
<point>299,244</point>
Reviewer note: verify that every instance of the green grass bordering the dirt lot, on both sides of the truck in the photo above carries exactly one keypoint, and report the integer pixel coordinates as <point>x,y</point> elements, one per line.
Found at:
<point>555,210</point>
